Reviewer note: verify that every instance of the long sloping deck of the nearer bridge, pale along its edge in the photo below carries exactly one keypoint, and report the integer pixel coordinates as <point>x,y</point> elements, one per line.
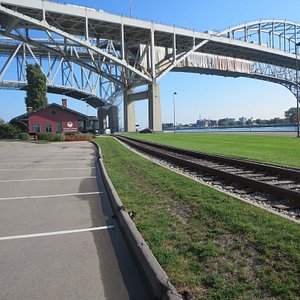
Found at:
<point>72,20</point>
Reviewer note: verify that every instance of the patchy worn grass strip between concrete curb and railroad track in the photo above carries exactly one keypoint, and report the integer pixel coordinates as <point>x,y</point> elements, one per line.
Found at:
<point>210,244</point>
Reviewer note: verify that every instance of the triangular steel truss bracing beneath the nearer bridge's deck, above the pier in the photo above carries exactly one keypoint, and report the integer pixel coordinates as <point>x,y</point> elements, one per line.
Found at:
<point>74,39</point>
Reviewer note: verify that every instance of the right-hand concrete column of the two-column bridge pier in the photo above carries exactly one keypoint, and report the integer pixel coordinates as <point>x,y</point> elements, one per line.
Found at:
<point>154,110</point>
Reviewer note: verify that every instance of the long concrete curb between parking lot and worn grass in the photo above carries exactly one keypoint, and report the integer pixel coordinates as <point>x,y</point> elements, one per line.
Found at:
<point>157,280</point>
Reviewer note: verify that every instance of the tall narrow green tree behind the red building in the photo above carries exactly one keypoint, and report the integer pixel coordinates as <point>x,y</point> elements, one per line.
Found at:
<point>36,96</point>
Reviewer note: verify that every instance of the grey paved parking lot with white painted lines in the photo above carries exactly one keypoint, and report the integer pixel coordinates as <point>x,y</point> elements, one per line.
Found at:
<point>58,239</point>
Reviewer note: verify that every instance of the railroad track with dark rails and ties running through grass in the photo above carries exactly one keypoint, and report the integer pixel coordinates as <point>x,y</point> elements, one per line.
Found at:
<point>266,181</point>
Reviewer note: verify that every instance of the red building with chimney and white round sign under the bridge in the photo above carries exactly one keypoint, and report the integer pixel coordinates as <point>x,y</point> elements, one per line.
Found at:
<point>56,118</point>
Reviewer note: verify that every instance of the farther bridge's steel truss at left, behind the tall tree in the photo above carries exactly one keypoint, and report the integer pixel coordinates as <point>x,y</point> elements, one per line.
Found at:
<point>63,76</point>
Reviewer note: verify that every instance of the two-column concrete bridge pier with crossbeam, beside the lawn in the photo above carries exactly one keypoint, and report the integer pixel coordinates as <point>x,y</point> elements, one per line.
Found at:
<point>154,111</point>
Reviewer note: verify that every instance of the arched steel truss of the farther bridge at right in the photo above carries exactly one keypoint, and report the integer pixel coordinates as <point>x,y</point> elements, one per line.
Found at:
<point>275,34</point>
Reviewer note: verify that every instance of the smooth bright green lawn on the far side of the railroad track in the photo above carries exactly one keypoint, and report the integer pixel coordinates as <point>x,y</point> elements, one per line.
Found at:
<point>272,149</point>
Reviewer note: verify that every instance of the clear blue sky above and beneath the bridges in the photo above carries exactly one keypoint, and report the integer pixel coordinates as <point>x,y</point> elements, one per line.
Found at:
<point>198,96</point>
